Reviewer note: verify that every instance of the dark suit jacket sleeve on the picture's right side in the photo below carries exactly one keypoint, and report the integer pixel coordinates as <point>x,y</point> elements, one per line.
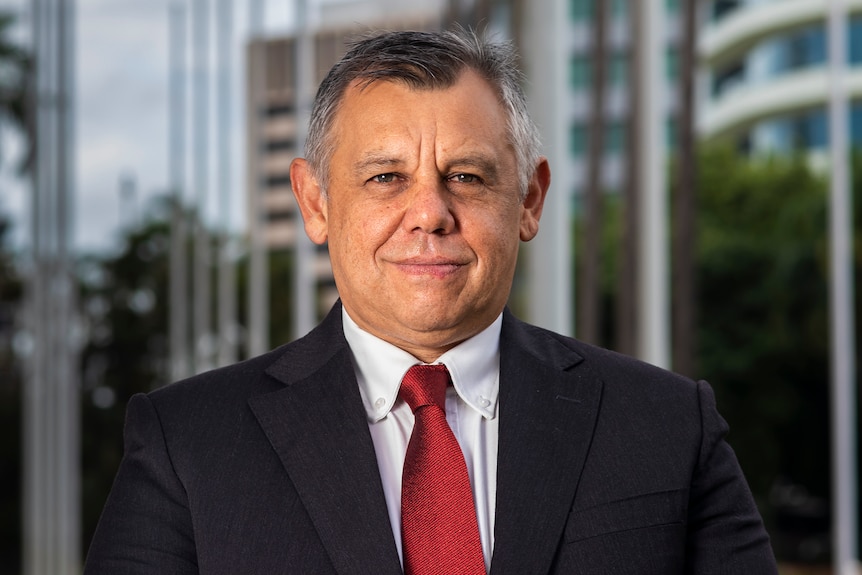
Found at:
<point>725,531</point>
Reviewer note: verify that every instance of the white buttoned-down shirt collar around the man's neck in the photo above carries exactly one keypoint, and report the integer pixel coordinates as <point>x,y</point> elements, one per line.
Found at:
<point>474,365</point>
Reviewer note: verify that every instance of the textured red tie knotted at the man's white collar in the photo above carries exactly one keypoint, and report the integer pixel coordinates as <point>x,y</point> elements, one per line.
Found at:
<point>439,532</point>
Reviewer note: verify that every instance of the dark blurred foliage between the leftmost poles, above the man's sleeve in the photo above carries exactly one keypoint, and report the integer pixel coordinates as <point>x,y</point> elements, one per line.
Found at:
<point>124,299</point>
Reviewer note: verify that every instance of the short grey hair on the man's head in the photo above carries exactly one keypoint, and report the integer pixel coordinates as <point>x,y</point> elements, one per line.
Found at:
<point>429,61</point>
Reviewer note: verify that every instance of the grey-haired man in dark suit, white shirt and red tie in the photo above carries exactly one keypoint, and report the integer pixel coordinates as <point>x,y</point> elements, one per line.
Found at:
<point>423,174</point>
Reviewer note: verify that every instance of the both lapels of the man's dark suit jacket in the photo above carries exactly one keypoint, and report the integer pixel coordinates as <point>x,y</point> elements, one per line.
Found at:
<point>549,402</point>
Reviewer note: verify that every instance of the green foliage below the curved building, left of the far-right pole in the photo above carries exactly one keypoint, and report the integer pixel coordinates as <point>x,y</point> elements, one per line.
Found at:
<point>763,312</point>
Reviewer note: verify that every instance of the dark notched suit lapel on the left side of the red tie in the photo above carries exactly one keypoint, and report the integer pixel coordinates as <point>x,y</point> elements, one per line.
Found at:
<point>317,426</point>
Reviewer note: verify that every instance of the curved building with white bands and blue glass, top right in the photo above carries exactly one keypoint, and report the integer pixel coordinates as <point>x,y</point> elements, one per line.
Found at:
<point>765,81</point>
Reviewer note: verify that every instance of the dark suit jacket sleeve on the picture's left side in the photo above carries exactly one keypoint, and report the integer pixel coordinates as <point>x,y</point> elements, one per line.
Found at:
<point>146,526</point>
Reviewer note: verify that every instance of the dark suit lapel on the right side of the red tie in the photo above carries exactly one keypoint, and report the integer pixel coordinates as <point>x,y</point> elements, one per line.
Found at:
<point>548,409</point>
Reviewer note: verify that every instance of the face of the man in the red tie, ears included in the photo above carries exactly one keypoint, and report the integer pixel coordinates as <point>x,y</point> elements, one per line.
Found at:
<point>423,214</point>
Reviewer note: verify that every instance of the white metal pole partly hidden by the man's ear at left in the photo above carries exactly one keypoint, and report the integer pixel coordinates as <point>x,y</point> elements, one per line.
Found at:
<point>305,307</point>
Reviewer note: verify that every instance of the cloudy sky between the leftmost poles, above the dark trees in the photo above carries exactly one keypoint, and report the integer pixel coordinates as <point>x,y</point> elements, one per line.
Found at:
<point>121,105</point>
